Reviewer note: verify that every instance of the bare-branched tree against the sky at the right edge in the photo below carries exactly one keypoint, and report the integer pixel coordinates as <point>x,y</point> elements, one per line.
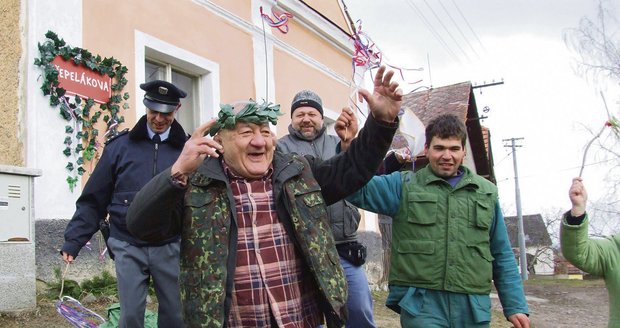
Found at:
<point>597,43</point>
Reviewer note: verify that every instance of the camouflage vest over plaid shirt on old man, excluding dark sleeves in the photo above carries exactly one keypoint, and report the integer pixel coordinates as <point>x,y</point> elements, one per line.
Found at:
<point>208,246</point>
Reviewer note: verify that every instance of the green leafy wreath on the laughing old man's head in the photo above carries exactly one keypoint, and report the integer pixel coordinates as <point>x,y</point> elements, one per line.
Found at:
<point>251,113</point>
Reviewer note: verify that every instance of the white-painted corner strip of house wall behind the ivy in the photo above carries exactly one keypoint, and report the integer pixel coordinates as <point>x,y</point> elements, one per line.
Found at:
<point>45,127</point>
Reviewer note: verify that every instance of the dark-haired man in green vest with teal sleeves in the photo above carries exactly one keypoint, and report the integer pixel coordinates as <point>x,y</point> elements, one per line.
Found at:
<point>449,239</point>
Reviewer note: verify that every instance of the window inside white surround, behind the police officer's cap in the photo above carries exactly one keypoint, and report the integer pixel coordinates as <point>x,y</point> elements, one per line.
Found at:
<point>185,81</point>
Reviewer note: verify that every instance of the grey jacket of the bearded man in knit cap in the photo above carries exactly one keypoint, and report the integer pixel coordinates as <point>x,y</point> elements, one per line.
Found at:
<point>343,216</point>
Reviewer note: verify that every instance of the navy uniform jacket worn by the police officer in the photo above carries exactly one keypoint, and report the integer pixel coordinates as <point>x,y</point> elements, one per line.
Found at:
<point>128,162</point>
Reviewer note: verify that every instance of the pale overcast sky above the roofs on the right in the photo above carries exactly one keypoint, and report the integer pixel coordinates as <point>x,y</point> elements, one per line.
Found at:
<point>542,99</point>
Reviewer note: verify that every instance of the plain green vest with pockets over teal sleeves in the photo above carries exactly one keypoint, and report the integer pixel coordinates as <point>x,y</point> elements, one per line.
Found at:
<point>440,235</point>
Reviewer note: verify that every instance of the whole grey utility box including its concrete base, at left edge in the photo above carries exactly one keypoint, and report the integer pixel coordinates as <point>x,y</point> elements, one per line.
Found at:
<point>17,247</point>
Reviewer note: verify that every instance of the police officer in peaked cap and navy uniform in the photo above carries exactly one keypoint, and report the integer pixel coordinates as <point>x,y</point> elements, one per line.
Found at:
<point>128,162</point>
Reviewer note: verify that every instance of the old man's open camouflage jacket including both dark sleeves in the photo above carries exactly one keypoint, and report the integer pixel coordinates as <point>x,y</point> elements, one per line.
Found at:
<point>302,188</point>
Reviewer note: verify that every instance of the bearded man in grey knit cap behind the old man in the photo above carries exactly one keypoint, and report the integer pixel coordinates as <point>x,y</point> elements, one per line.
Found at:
<point>307,137</point>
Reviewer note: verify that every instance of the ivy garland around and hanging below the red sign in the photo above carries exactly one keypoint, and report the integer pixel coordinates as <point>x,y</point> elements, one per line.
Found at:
<point>82,114</point>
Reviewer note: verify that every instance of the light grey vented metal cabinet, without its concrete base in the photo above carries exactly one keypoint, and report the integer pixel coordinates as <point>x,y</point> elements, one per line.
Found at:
<point>15,206</point>
